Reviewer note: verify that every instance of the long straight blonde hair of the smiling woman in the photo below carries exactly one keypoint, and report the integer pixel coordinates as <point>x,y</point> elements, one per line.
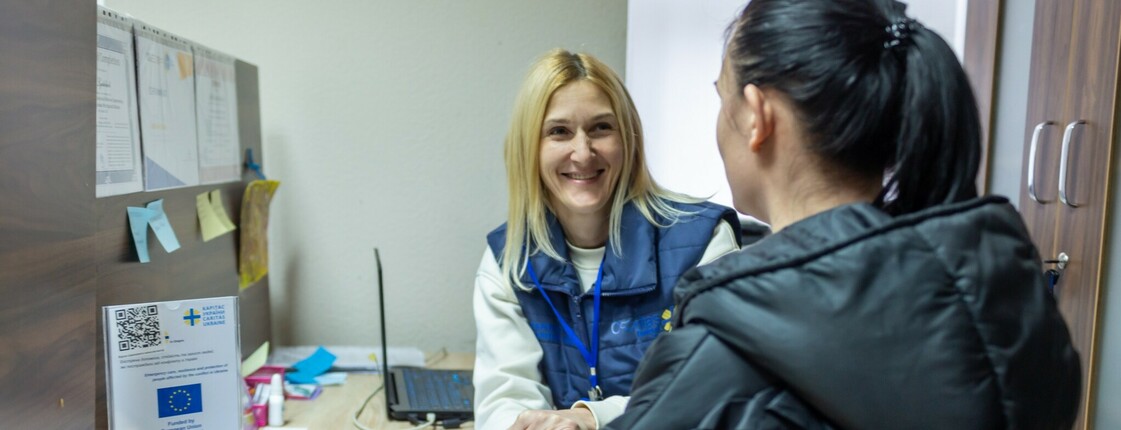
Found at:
<point>527,227</point>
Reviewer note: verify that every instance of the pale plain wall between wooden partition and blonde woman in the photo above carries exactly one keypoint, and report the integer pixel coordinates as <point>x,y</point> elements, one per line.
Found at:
<point>385,121</point>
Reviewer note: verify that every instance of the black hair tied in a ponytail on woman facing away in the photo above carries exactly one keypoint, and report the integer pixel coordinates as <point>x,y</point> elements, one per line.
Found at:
<point>878,94</point>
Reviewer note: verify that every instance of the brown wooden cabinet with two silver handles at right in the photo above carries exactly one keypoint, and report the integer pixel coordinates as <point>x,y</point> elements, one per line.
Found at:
<point>1067,160</point>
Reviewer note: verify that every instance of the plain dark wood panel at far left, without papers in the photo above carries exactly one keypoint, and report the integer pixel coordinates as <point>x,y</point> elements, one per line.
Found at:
<point>48,81</point>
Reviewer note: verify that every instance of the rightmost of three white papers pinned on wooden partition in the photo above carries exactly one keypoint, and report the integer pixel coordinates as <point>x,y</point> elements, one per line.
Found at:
<point>217,109</point>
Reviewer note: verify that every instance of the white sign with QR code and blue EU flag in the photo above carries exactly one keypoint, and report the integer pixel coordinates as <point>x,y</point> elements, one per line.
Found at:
<point>173,366</point>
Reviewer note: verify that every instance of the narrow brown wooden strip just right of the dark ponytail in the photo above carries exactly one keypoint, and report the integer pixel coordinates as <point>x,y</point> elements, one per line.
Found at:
<point>983,34</point>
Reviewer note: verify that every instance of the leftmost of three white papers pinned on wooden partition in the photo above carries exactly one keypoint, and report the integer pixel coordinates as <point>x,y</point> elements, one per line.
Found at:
<point>118,154</point>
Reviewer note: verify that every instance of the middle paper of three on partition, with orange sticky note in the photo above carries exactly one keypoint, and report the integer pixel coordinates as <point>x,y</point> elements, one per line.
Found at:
<point>166,78</point>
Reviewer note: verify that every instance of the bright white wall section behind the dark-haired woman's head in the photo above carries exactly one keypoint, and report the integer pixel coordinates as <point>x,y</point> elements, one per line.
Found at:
<point>674,52</point>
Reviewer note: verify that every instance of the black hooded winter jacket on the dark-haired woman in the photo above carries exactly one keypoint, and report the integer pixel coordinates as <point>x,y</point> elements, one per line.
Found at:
<point>856,320</point>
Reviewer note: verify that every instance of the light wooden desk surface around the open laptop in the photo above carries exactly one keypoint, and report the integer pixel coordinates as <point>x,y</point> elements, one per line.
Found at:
<point>333,409</point>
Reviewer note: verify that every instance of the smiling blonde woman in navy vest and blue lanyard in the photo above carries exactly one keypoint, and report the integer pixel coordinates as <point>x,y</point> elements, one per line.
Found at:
<point>579,282</point>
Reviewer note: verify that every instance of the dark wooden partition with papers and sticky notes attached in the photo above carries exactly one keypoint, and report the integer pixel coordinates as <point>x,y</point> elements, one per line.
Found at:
<point>63,254</point>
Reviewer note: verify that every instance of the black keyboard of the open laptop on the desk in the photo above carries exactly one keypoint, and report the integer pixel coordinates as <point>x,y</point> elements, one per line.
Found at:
<point>439,391</point>
